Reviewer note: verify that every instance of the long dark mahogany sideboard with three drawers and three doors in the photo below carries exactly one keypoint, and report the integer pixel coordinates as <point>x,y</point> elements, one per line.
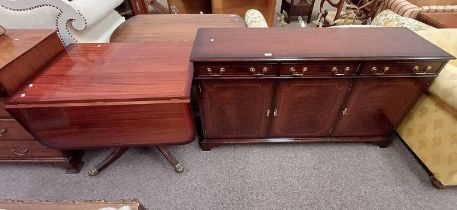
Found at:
<point>325,85</point>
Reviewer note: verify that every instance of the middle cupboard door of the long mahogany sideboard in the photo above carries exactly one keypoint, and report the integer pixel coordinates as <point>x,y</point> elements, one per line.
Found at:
<point>307,107</point>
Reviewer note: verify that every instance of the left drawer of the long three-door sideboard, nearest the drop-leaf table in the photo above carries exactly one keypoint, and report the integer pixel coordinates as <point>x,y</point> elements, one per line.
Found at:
<point>242,69</point>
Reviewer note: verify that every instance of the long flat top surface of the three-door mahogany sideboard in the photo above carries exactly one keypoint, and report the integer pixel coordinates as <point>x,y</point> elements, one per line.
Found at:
<point>312,44</point>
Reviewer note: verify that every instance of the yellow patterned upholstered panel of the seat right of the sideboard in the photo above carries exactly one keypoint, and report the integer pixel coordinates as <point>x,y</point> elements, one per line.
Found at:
<point>429,130</point>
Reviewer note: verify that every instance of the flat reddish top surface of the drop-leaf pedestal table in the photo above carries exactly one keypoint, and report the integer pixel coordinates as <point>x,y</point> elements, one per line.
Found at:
<point>113,72</point>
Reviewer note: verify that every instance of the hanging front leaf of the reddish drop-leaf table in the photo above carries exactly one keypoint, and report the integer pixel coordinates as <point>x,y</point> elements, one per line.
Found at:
<point>67,126</point>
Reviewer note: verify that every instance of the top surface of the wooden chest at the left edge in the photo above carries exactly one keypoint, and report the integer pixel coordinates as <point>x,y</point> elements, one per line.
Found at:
<point>16,42</point>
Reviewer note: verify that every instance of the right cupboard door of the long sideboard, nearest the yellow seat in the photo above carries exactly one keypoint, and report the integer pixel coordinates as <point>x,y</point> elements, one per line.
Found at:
<point>376,106</point>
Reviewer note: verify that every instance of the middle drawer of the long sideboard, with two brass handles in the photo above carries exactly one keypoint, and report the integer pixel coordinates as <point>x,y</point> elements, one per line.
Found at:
<point>316,69</point>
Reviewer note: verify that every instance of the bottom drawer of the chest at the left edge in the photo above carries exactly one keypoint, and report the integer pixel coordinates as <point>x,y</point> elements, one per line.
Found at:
<point>26,149</point>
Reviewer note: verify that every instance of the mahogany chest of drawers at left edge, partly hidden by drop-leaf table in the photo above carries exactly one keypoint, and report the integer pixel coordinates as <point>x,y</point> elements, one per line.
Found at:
<point>23,53</point>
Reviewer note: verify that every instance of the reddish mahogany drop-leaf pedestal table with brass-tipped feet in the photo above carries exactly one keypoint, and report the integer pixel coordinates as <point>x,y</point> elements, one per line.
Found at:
<point>111,95</point>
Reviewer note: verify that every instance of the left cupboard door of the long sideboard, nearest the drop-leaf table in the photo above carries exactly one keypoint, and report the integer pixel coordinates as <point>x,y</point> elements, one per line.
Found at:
<point>235,109</point>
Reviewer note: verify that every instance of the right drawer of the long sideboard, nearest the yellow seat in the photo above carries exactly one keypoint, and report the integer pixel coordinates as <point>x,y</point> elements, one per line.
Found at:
<point>396,68</point>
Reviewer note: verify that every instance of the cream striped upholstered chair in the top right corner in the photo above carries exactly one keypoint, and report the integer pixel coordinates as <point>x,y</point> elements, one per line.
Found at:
<point>411,8</point>
